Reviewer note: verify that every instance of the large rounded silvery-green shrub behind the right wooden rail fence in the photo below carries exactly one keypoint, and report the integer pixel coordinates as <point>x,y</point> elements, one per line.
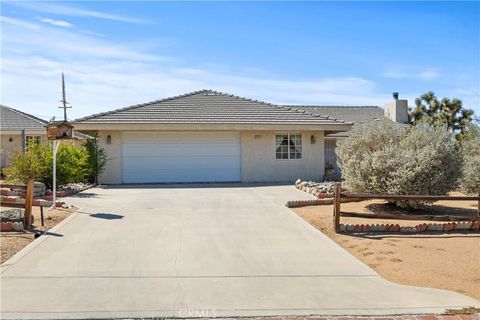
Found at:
<point>381,158</point>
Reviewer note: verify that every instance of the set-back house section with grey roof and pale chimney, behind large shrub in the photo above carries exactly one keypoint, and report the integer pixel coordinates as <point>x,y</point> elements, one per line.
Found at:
<point>397,111</point>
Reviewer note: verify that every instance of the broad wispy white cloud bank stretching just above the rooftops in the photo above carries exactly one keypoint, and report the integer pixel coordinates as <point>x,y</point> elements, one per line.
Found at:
<point>102,75</point>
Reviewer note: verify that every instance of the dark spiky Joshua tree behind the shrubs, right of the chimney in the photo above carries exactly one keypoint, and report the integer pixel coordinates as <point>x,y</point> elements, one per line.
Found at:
<point>448,112</point>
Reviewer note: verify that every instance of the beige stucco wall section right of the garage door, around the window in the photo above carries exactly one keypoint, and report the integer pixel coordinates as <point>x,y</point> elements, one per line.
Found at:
<point>260,165</point>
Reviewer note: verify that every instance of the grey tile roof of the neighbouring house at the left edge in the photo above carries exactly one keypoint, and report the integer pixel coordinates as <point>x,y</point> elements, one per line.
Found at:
<point>16,120</point>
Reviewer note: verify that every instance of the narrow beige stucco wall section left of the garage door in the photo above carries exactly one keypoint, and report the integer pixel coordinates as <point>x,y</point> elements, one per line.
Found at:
<point>113,170</point>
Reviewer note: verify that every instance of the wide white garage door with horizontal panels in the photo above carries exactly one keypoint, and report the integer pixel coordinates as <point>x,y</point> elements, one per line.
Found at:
<point>180,157</point>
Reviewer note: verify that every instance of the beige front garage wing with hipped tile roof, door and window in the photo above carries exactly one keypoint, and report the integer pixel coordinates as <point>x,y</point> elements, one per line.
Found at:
<point>209,136</point>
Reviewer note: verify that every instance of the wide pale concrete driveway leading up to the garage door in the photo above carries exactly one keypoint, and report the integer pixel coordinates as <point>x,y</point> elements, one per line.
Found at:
<point>204,251</point>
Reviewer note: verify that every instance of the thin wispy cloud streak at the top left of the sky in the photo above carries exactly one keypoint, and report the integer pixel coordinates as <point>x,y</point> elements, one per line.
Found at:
<point>64,10</point>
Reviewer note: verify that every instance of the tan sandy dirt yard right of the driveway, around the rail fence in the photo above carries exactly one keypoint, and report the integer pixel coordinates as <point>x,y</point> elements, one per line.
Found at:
<point>445,261</point>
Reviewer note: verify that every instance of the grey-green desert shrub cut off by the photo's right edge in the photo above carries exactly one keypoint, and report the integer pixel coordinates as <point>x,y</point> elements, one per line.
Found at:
<point>470,146</point>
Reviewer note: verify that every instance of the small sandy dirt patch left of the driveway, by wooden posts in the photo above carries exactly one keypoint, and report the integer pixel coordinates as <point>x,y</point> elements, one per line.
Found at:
<point>12,242</point>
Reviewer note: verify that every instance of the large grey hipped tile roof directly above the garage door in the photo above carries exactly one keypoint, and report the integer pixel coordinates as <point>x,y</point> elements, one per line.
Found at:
<point>210,107</point>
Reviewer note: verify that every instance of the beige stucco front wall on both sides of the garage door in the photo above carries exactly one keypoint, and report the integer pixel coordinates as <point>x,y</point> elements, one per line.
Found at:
<point>257,158</point>
